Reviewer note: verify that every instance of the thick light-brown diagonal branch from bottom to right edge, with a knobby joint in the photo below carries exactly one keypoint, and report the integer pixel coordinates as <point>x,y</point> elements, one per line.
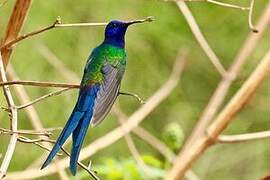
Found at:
<point>184,161</point>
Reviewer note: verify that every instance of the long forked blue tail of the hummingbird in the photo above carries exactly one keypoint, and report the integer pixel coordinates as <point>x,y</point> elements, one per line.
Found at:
<point>77,125</point>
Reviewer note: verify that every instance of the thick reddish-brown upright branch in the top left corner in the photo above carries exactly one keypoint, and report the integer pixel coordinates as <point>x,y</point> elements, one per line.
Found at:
<point>14,26</point>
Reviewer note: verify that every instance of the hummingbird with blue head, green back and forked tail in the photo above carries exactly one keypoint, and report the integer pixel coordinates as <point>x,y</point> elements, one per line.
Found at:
<point>99,89</point>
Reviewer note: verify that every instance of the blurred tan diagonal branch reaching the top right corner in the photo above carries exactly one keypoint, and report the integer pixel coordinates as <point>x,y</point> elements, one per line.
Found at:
<point>222,89</point>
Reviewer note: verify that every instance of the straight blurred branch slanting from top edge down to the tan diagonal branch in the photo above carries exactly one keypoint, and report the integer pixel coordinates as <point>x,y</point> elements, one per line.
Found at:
<point>200,38</point>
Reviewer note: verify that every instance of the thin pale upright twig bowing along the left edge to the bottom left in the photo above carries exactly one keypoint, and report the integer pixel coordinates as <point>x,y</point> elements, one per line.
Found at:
<point>13,123</point>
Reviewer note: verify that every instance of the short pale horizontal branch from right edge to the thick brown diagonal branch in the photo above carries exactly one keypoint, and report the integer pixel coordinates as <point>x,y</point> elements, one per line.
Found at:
<point>243,137</point>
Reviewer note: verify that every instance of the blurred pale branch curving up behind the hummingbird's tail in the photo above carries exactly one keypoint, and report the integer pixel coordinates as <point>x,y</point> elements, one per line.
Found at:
<point>114,135</point>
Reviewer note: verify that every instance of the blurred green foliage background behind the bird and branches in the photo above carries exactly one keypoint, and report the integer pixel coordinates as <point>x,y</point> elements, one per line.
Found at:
<point>152,49</point>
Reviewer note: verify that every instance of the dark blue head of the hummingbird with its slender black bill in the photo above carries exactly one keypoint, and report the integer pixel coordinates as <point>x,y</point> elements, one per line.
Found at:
<point>115,32</point>
